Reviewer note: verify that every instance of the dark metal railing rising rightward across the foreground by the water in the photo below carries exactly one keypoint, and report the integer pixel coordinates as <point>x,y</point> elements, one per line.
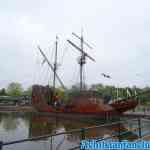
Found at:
<point>83,131</point>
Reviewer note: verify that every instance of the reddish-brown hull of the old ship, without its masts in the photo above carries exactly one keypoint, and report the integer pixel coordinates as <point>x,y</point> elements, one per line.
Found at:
<point>83,104</point>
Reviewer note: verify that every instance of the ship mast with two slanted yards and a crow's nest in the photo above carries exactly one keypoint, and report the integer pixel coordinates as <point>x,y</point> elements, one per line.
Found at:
<point>82,59</point>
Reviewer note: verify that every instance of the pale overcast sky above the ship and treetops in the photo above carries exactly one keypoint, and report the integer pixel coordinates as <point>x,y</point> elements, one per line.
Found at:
<point>117,30</point>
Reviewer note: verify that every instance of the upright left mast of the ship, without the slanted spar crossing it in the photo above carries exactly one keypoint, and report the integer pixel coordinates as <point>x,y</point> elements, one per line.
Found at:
<point>55,64</point>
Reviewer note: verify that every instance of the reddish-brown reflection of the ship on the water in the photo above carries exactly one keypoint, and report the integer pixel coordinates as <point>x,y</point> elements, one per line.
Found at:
<point>40,125</point>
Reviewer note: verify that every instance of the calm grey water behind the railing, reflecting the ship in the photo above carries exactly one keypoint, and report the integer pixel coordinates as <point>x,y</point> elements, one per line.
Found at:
<point>14,126</point>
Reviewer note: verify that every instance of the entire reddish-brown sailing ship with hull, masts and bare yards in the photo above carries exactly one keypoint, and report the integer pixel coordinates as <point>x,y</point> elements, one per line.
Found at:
<point>86,103</point>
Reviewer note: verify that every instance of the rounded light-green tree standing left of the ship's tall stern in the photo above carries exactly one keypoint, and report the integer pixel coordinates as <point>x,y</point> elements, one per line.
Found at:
<point>14,89</point>
